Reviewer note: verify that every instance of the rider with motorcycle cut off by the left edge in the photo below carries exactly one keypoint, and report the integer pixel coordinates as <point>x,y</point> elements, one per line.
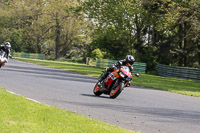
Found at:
<point>5,52</point>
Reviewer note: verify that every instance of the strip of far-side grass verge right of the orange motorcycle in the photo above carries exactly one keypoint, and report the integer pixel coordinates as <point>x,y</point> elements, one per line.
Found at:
<point>181,86</point>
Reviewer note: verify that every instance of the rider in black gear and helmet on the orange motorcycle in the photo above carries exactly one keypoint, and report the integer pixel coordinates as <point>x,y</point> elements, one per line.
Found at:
<point>128,61</point>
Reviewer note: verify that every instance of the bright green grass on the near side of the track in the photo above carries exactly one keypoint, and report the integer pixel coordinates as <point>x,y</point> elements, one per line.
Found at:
<point>19,115</point>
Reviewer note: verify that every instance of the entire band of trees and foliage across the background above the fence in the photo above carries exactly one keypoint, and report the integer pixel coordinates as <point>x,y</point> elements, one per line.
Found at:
<point>163,31</point>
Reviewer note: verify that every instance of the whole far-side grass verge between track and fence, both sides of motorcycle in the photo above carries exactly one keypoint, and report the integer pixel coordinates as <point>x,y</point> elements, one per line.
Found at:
<point>181,86</point>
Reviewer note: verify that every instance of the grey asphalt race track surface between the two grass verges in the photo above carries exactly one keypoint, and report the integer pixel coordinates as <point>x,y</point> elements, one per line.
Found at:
<point>141,109</point>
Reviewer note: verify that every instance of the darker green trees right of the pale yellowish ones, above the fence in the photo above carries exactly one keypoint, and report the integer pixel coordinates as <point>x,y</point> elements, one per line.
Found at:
<point>153,31</point>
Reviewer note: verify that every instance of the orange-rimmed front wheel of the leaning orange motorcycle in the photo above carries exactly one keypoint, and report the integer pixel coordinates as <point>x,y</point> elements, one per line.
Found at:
<point>116,90</point>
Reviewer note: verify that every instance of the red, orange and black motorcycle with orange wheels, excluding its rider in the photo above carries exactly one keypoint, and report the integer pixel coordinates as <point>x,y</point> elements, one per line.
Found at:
<point>114,83</point>
